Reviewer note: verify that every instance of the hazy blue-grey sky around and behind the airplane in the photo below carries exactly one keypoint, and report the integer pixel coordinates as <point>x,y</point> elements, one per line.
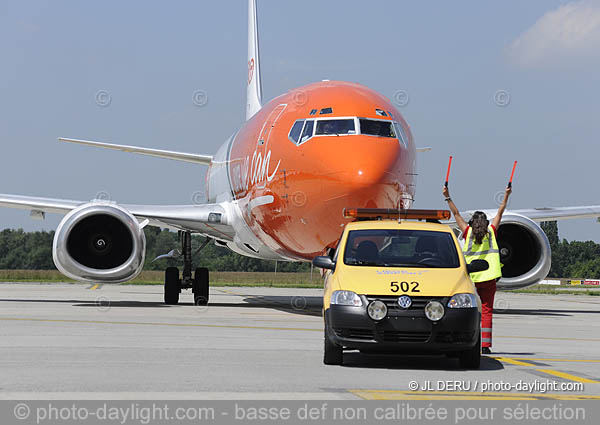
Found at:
<point>486,82</point>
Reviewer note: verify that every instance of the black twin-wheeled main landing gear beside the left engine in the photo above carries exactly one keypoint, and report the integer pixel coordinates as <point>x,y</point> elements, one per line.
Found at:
<point>199,283</point>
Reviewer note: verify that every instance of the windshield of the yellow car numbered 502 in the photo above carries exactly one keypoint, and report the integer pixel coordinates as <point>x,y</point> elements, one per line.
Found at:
<point>401,248</point>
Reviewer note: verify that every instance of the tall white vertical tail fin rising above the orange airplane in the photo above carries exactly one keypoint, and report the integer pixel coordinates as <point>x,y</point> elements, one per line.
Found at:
<point>254,94</point>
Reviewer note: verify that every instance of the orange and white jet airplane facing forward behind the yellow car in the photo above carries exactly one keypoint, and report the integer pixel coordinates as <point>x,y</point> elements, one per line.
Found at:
<point>276,190</point>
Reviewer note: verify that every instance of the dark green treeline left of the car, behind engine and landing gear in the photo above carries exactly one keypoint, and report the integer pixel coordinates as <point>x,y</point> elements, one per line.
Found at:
<point>21,250</point>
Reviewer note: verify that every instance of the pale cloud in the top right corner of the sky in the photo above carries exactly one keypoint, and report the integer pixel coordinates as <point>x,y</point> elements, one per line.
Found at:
<point>567,35</point>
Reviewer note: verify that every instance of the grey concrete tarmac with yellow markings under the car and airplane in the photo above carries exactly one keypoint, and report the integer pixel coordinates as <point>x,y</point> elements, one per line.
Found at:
<point>116,342</point>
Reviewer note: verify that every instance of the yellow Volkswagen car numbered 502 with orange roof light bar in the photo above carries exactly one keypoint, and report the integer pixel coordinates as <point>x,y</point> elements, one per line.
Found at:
<point>400,285</point>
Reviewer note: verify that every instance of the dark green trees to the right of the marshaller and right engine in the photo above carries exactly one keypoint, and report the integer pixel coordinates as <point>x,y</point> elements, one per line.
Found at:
<point>575,259</point>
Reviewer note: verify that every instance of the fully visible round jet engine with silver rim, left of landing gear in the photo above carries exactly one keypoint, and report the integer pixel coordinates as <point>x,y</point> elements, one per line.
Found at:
<point>99,242</point>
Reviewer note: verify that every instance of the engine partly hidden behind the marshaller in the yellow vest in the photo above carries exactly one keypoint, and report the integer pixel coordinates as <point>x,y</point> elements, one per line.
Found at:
<point>524,251</point>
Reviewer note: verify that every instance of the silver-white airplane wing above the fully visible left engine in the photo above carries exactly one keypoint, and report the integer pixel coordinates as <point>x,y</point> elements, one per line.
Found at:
<point>207,219</point>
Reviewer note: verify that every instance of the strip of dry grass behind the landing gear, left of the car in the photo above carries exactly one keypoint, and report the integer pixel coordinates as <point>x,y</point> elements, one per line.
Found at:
<point>249,279</point>
